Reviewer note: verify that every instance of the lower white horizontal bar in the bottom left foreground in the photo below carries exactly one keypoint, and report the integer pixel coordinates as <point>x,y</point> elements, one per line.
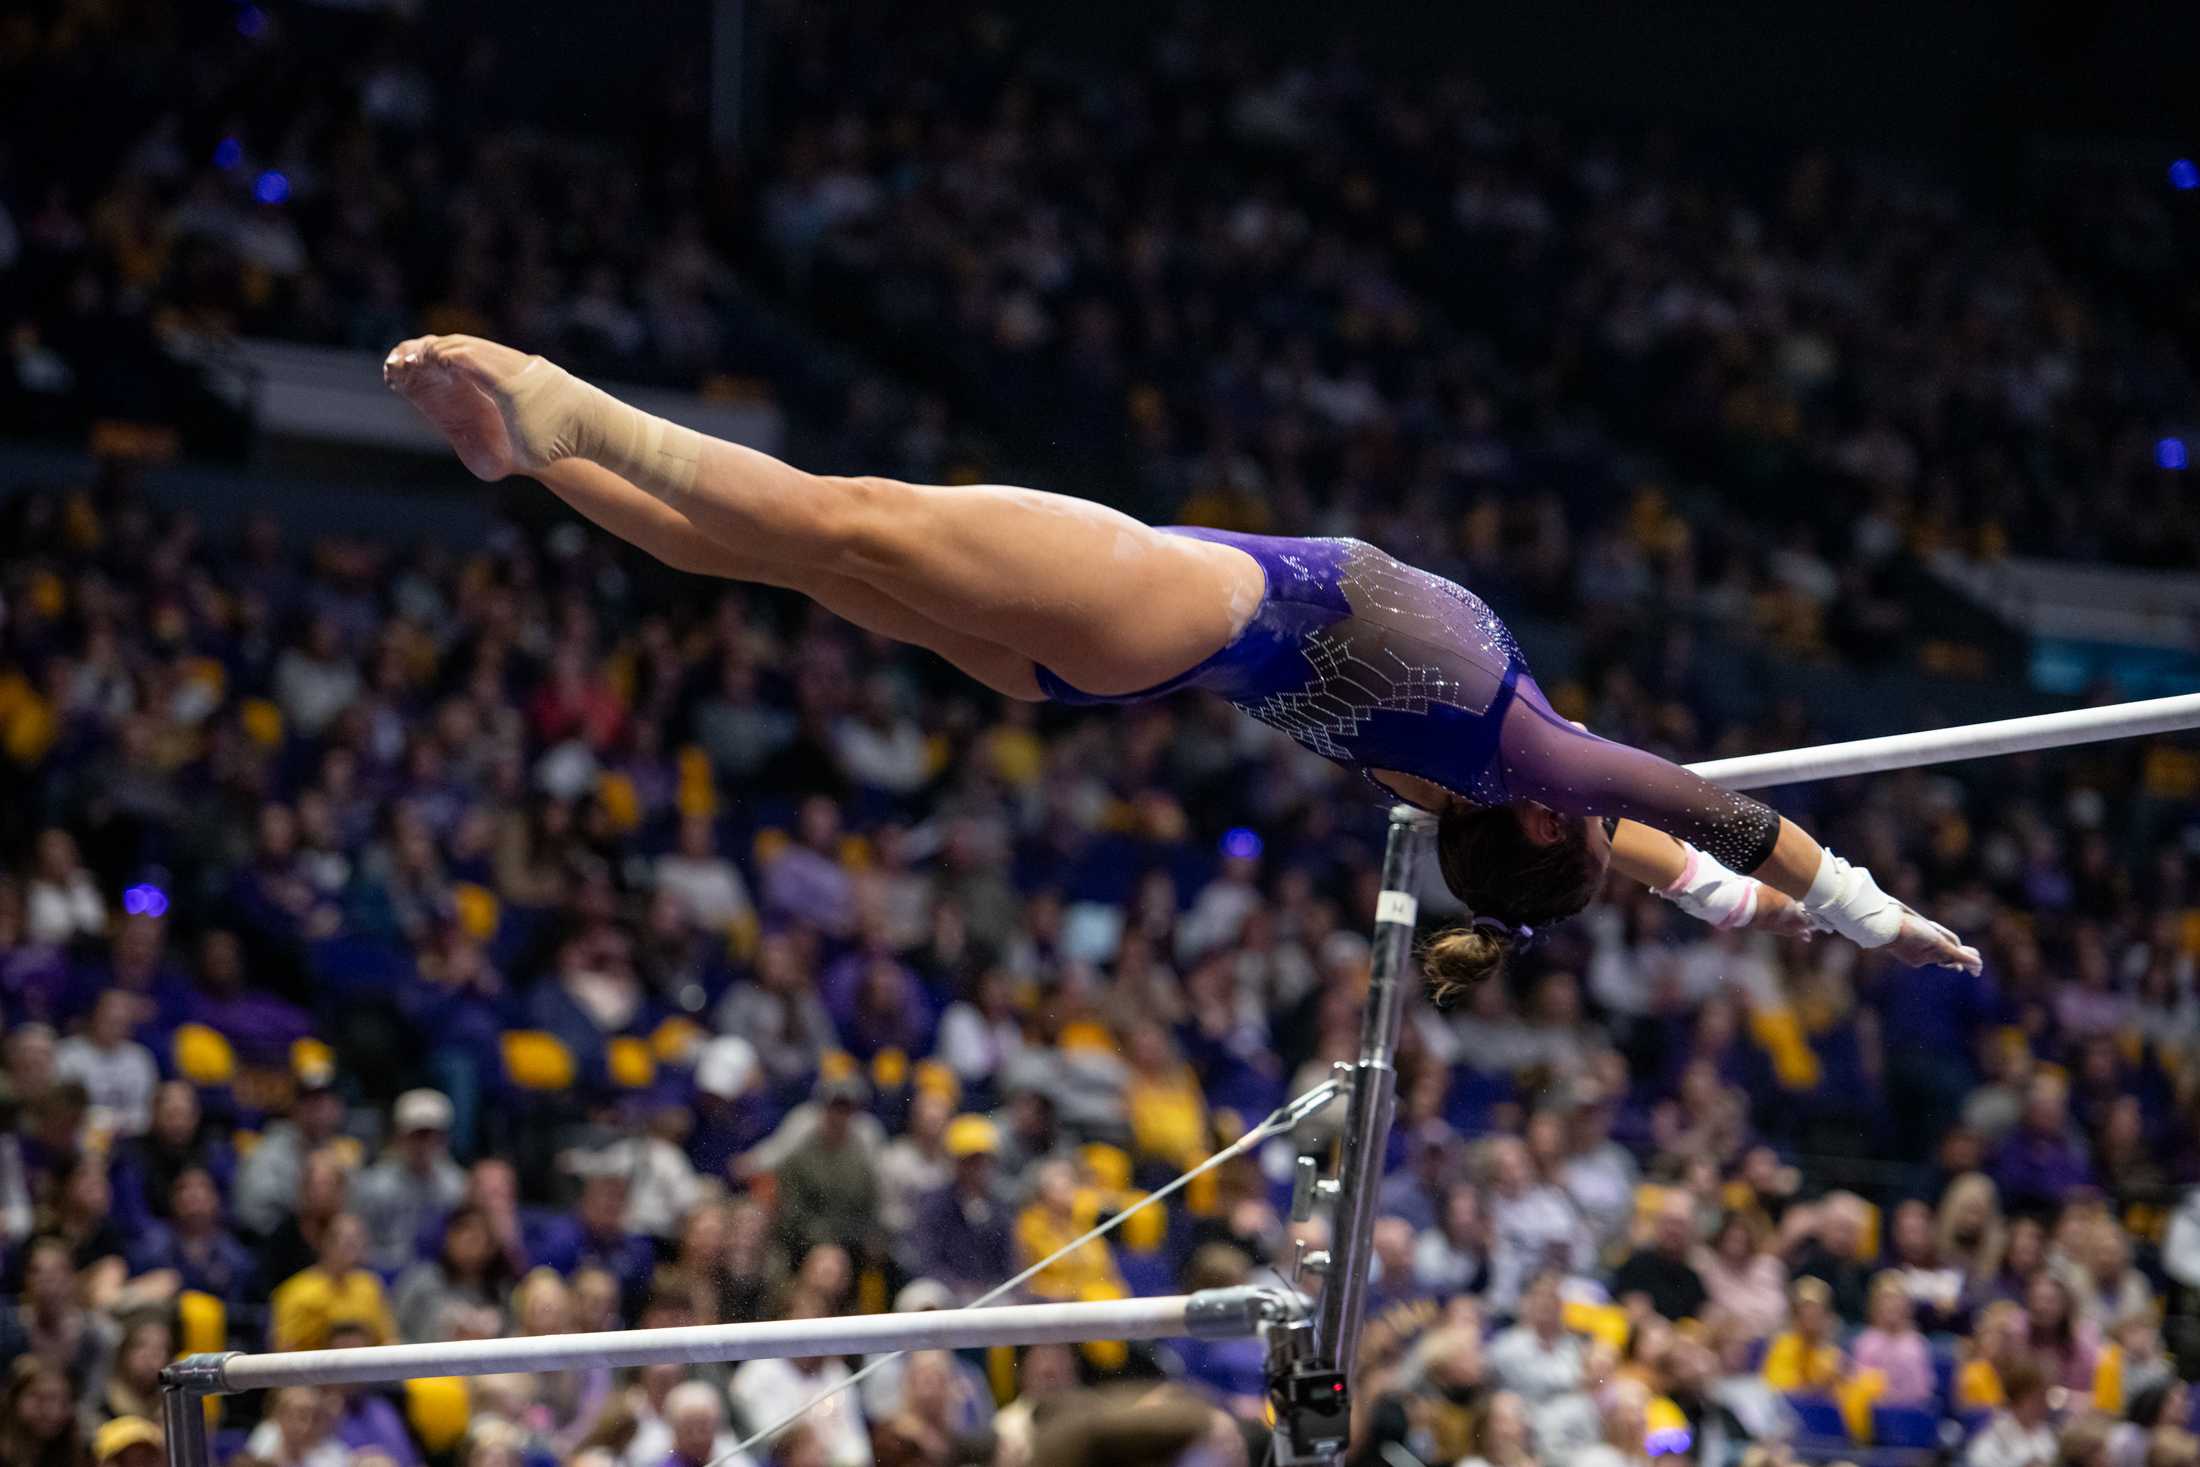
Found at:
<point>1213,1314</point>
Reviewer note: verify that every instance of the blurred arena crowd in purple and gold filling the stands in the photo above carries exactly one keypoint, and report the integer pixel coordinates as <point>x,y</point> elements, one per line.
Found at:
<point>423,942</point>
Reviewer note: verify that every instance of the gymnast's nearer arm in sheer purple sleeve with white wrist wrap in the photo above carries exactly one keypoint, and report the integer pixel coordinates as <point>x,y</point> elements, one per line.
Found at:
<point>1576,773</point>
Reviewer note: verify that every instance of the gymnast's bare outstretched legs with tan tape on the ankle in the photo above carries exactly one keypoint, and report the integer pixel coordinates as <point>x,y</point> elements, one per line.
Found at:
<point>1097,597</point>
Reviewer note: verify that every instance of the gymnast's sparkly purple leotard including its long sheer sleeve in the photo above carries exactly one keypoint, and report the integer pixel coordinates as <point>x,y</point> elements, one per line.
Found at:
<point>1380,665</point>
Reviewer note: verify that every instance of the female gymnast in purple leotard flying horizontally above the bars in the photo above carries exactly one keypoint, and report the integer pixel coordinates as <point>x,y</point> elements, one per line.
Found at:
<point>1363,659</point>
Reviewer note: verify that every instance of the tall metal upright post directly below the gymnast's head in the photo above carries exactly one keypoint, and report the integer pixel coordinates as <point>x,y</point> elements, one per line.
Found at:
<point>1367,1121</point>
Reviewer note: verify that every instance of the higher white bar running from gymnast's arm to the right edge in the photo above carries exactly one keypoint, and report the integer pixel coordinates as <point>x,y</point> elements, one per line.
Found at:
<point>1950,744</point>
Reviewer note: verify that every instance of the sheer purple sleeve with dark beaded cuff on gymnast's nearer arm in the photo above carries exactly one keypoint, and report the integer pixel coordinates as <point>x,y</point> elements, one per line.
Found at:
<point>1581,775</point>
